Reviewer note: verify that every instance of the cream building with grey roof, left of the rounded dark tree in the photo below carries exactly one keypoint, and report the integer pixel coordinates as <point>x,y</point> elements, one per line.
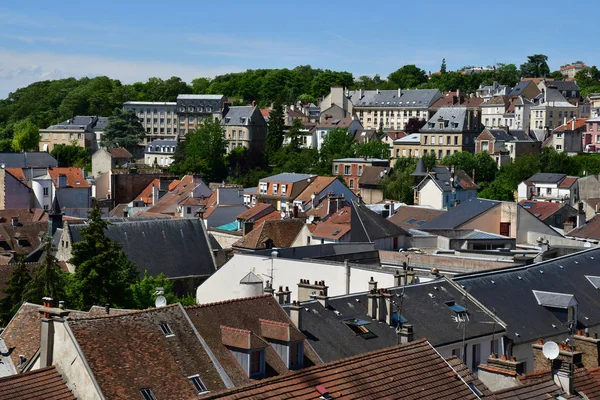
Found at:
<point>79,130</point>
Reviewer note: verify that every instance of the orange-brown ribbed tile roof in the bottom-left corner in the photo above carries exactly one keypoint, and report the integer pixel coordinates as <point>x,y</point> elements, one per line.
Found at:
<point>41,384</point>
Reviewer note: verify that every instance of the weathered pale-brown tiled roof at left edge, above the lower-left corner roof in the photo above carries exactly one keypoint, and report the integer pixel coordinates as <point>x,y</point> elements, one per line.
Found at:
<point>23,331</point>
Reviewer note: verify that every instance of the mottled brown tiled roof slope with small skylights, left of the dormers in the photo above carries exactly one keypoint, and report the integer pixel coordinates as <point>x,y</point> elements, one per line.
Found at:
<point>130,352</point>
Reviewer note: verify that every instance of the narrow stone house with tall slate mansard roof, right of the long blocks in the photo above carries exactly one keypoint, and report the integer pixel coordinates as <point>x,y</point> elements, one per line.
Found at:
<point>245,126</point>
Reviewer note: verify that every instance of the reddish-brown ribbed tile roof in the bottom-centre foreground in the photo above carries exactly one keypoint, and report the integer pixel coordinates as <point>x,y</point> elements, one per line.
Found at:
<point>411,371</point>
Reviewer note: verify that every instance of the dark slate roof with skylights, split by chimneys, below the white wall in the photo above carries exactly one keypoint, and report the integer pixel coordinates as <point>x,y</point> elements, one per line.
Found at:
<point>423,306</point>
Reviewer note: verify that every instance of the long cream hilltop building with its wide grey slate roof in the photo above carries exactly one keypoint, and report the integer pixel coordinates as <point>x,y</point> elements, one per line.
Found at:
<point>391,109</point>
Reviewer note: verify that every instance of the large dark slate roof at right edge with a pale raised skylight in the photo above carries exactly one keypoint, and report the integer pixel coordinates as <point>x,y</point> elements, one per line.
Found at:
<point>527,318</point>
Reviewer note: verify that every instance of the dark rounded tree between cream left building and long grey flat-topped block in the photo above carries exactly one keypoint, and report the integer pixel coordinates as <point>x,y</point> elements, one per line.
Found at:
<point>124,129</point>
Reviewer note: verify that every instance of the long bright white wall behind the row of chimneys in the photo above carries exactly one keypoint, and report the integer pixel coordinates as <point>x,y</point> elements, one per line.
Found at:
<point>224,283</point>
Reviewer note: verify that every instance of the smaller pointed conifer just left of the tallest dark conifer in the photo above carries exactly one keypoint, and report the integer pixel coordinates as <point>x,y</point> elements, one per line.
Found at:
<point>48,279</point>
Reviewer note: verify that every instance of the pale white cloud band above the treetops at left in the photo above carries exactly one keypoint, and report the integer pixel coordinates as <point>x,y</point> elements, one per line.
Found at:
<point>21,69</point>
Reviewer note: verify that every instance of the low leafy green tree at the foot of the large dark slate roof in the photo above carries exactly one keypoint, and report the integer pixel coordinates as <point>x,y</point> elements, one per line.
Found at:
<point>143,292</point>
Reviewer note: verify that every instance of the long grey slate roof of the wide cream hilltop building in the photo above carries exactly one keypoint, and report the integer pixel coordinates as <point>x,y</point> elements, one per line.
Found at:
<point>420,98</point>
